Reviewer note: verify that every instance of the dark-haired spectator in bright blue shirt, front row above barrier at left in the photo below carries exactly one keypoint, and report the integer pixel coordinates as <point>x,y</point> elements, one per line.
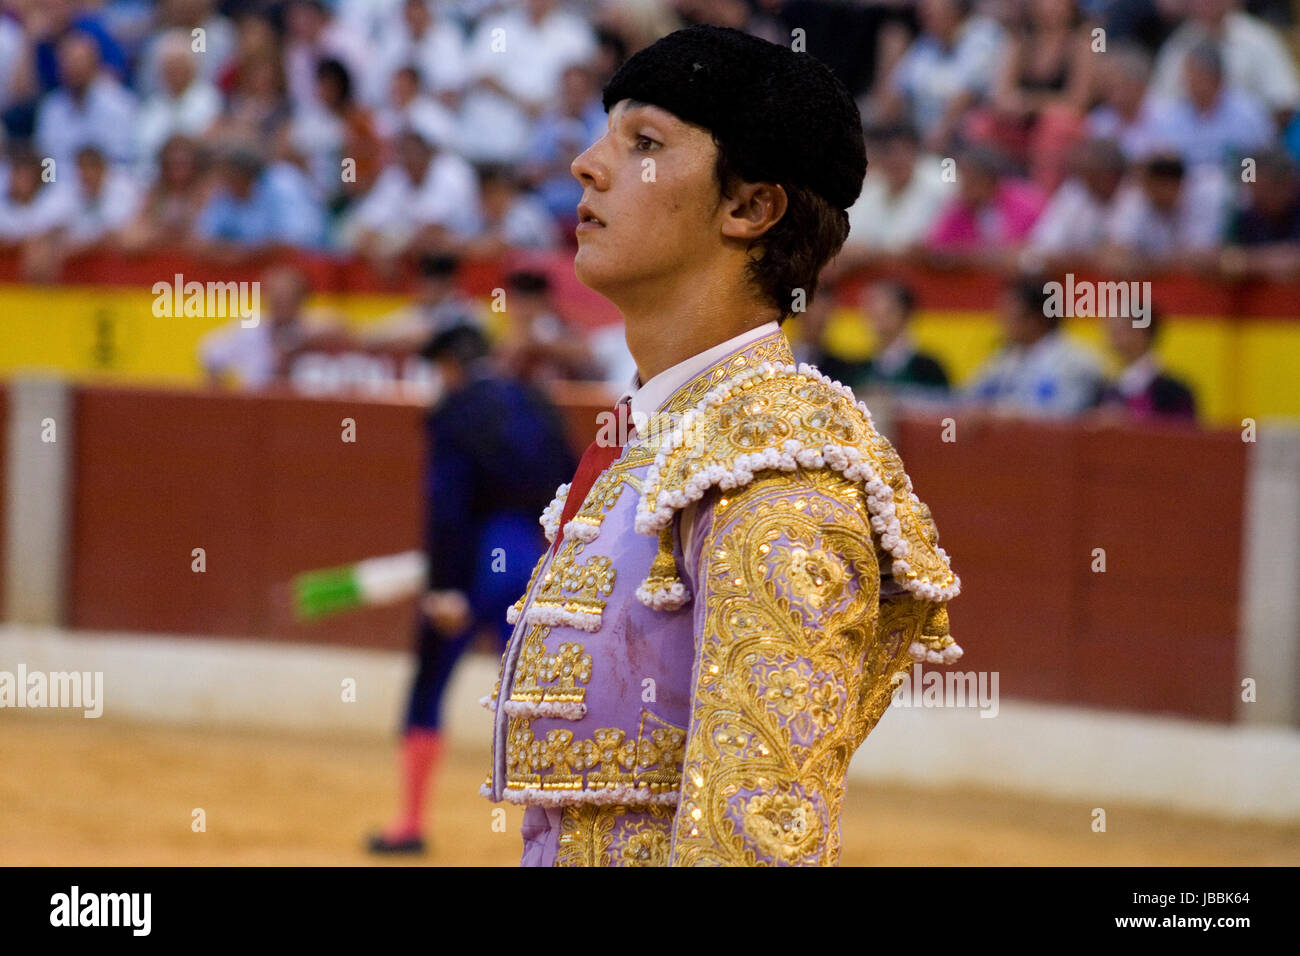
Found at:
<point>258,206</point>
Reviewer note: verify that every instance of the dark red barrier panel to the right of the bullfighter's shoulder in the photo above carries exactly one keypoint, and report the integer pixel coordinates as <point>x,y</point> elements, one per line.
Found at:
<point>1021,509</point>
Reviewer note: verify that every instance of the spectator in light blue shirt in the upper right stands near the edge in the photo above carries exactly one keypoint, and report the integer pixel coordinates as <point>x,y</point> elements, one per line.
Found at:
<point>1210,123</point>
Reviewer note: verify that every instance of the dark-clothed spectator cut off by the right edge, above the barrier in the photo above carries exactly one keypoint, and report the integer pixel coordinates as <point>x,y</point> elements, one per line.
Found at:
<point>1264,232</point>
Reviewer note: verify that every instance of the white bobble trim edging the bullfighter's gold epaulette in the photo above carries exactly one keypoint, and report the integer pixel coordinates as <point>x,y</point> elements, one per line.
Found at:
<point>657,508</point>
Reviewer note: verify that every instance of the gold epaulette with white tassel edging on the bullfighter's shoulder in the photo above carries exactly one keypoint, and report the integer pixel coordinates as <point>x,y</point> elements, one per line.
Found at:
<point>781,417</point>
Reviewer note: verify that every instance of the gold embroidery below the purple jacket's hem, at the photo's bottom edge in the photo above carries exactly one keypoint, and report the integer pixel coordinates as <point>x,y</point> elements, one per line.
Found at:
<point>593,836</point>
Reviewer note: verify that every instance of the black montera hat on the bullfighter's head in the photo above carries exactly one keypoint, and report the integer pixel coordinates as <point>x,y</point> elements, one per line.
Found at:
<point>782,116</point>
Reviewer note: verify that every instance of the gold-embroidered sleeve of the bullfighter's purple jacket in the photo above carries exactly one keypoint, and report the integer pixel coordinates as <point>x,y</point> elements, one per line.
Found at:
<point>795,664</point>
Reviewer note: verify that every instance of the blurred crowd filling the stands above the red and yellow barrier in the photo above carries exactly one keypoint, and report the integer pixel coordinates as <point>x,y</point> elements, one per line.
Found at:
<point>1017,136</point>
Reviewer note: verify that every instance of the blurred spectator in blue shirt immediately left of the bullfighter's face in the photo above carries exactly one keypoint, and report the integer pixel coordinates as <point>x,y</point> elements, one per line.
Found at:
<point>561,135</point>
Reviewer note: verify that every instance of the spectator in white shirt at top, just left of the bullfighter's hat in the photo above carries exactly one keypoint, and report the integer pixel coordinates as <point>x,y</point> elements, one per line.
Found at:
<point>515,64</point>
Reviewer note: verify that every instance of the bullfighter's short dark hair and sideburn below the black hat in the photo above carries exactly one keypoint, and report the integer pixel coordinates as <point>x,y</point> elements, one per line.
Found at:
<point>796,248</point>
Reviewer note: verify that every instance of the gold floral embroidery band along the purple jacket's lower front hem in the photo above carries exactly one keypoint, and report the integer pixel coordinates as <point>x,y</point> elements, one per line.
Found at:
<point>560,762</point>
